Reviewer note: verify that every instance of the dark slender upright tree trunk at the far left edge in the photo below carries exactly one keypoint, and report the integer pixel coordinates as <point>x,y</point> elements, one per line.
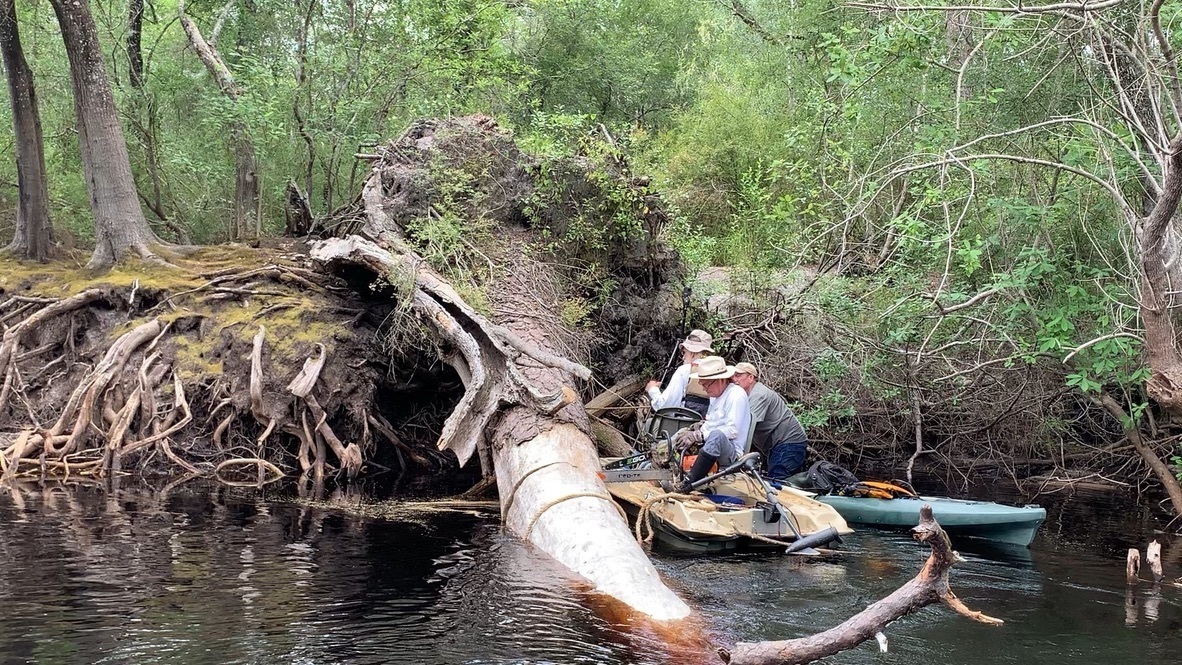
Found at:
<point>35,232</point>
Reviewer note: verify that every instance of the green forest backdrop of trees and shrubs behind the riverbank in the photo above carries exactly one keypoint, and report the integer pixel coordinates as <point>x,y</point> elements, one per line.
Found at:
<point>946,231</point>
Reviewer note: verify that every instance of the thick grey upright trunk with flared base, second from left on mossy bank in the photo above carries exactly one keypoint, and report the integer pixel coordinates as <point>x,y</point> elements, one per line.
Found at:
<point>120,224</point>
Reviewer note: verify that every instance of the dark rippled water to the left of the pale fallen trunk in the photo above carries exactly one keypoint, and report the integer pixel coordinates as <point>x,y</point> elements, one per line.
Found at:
<point>222,577</point>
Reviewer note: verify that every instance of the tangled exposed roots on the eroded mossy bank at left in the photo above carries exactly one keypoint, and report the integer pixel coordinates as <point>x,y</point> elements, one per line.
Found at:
<point>127,410</point>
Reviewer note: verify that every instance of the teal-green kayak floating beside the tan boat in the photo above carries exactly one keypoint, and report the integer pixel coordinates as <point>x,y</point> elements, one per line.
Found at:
<point>977,519</point>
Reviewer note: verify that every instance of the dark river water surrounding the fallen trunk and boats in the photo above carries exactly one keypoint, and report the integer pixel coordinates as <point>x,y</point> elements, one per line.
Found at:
<point>219,576</point>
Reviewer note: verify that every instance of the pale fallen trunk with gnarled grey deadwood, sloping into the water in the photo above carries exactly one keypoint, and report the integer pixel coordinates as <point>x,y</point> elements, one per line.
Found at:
<point>545,464</point>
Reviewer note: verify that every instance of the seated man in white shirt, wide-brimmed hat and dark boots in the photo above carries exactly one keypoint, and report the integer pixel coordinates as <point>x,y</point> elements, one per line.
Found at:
<point>725,432</point>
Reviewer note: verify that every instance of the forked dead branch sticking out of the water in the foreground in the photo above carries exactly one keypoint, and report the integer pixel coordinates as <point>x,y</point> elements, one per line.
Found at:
<point>926,589</point>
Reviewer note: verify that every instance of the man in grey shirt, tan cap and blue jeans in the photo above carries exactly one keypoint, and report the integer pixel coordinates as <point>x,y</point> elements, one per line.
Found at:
<point>780,436</point>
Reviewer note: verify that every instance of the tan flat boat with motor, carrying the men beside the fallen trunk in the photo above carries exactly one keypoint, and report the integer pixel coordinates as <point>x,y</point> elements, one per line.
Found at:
<point>732,513</point>
